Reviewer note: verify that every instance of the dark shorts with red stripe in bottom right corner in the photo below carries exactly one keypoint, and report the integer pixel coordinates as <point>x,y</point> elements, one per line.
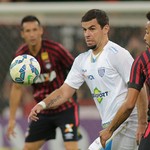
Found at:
<point>145,141</point>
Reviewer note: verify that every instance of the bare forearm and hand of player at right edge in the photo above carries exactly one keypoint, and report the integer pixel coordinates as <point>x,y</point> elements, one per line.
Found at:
<point>122,114</point>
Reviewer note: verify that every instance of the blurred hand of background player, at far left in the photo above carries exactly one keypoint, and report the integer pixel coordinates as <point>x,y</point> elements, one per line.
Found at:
<point>10,130</point>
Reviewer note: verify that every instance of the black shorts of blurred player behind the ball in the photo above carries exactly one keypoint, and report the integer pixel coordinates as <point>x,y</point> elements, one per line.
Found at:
<point>45,127</point>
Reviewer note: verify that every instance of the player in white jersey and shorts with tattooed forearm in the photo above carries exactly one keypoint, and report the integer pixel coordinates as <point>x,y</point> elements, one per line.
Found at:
<point>105,67</point>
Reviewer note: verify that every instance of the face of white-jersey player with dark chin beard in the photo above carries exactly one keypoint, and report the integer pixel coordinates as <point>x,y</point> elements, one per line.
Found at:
<point>94,34</point>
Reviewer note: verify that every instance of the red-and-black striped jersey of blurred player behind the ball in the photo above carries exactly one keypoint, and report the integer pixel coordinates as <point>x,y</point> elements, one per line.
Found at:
<point>55,62</point>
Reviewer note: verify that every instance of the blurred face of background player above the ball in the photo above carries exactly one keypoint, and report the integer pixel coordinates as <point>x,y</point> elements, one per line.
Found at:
<point>32,33</point>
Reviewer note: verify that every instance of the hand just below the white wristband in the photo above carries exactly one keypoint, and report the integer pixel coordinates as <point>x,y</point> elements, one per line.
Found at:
<point>33,114</point>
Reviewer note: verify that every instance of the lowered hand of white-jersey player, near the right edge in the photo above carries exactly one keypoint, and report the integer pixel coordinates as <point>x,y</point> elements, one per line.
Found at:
<point>140,132</point>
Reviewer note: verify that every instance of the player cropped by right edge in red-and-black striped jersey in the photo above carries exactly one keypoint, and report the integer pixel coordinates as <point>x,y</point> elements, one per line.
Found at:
<point>140,76</point>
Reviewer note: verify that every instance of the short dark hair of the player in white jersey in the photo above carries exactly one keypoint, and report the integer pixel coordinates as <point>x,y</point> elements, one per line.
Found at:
<point>97,14</point>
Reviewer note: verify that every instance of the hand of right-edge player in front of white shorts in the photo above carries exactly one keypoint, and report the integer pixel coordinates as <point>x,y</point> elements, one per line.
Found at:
<point>104,136</point>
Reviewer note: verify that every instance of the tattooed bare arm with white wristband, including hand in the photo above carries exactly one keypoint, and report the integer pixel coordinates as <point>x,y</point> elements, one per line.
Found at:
<point>56,98</point>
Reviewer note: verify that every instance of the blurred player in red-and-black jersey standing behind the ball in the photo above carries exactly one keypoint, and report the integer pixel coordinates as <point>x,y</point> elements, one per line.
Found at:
<point>55,62</point>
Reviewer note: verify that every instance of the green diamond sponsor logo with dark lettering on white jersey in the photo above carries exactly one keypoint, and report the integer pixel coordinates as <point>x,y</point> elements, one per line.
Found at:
<point>99,95</point>
